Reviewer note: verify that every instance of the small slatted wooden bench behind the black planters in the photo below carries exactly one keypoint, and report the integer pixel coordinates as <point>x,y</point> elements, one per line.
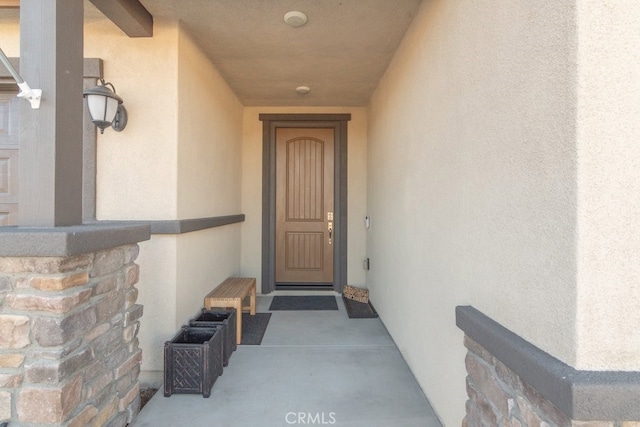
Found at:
<point>230,293</point>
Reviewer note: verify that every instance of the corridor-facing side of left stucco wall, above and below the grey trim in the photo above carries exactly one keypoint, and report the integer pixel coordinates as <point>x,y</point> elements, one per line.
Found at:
<point>209,149</point>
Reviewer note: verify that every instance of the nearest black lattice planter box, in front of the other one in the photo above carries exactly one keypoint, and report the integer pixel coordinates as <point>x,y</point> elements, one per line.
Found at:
<point>193,360</point>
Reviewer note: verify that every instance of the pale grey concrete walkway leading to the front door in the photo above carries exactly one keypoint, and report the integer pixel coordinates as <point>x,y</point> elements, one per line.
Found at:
<point>313,368</point>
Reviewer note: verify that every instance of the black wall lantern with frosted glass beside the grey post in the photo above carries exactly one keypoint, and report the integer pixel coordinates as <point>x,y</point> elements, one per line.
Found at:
<point>106,107</point>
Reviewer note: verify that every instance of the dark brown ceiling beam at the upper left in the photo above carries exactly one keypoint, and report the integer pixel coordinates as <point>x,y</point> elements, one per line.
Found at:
<point>129,15</point>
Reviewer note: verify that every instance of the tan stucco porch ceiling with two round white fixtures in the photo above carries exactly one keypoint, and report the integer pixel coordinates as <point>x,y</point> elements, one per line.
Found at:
<point>341,53</point>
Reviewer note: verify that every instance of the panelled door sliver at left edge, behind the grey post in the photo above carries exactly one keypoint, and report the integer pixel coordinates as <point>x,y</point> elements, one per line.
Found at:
<point>9,151</point>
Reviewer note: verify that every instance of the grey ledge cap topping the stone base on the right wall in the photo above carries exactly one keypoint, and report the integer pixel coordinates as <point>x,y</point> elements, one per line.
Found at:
<point>581,395</point>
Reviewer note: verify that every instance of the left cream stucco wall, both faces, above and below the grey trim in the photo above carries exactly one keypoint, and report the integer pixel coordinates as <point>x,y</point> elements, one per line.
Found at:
<point>178,158</point>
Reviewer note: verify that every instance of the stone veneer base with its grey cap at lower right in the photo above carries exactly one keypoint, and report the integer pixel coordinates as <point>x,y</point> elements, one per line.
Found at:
<point>511,382</point>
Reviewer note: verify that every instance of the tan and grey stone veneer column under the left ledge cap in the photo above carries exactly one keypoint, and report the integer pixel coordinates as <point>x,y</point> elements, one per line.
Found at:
<point>68,338</point>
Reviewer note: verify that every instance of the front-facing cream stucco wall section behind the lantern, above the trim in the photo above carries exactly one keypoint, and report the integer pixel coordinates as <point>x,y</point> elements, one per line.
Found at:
<point>137,168</point>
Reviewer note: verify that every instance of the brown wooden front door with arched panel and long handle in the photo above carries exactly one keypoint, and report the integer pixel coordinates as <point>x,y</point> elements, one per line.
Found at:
<point>304,206</point>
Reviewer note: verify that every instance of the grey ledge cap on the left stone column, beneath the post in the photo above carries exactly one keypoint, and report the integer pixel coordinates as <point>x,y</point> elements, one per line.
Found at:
<point>69,241</point>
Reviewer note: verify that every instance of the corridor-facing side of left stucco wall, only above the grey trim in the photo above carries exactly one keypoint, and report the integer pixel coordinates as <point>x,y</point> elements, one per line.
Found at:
<point>209,137</point>
